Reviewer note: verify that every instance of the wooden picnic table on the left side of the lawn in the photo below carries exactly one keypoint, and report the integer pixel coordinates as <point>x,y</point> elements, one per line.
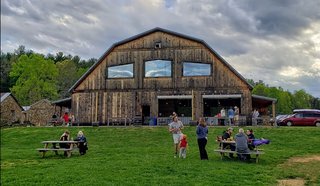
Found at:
<point>54,147</point>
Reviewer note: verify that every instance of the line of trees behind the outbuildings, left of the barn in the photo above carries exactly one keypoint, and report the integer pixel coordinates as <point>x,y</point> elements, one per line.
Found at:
<point>33,76</point>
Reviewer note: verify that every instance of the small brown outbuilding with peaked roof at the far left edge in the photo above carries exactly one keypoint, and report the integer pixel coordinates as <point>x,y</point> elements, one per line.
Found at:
<point>11,110</point>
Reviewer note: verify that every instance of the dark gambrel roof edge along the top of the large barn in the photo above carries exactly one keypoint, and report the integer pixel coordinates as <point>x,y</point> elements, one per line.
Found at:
<point>157,29</point>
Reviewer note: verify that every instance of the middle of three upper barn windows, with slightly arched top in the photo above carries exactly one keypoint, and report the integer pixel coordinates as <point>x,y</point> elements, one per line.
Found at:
<point>158,68</point>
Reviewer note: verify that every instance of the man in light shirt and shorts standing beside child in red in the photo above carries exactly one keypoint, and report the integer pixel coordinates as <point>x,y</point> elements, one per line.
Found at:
<point>175,128</point>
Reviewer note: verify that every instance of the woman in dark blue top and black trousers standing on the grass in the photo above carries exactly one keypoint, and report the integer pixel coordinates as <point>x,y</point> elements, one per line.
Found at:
<point>202,132</point>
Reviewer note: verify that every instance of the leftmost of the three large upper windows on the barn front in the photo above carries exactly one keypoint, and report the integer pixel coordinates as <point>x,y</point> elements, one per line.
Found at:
<point>121,71</point>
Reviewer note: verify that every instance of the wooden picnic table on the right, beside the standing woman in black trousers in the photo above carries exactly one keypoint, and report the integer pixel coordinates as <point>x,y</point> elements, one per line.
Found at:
<point>222,151</point>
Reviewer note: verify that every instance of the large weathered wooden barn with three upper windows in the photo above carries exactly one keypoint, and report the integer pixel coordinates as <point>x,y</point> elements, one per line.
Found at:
<point>156,73</point>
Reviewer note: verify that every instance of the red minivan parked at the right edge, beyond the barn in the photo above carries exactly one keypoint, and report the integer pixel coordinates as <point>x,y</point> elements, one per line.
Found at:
<point>302,117</point>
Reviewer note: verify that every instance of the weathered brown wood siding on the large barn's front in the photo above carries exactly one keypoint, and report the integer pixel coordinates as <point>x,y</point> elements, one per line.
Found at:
<point>96,98</point>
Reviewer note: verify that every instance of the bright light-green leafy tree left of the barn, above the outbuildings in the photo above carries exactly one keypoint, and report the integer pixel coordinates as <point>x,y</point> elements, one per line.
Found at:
<point>35,79</point>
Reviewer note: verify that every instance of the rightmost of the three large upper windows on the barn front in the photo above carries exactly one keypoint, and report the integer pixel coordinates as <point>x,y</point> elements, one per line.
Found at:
<point>196,69</point>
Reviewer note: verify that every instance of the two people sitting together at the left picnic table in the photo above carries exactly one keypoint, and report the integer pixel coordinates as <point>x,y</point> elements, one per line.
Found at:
<point>80,138</point>
